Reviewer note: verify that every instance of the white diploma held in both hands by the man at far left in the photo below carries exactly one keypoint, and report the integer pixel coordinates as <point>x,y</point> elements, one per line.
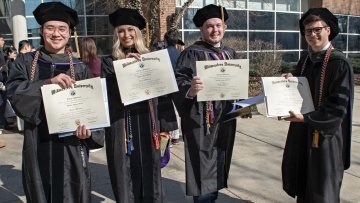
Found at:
<point>86,103</point>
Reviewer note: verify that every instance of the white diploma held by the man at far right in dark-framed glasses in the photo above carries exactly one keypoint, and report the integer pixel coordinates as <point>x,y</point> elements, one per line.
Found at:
<point>283,95</point>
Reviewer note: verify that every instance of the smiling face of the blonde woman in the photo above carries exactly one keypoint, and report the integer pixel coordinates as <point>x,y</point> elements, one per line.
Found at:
<point>126,35</point>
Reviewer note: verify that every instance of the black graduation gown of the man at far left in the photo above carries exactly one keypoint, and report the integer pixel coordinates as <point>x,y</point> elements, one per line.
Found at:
<point>54,169</point>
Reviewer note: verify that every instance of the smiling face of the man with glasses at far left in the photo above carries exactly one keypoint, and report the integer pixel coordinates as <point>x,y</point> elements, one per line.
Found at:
<point>56,35</point>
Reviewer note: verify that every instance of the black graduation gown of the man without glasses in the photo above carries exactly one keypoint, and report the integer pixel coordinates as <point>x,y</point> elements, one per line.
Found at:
<point>207,152</point>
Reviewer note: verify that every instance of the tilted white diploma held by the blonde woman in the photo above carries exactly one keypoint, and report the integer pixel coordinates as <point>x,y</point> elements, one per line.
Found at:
<point>148,77</point>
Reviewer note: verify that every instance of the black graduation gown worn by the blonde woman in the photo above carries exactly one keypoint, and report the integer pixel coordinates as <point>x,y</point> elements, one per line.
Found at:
<point>135,177</point>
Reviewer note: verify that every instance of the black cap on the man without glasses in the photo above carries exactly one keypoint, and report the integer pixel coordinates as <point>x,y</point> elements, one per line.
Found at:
<point>207,12</point>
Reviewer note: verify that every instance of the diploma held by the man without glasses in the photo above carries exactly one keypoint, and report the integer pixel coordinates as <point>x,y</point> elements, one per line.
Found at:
<point>223,79</point>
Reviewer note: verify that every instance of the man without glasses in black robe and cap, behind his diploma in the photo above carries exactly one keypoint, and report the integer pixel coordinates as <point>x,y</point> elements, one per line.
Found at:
<point>208,140</point>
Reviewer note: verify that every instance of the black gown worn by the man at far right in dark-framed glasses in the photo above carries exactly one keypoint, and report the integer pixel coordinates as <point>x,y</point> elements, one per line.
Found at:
<point>315,174</point>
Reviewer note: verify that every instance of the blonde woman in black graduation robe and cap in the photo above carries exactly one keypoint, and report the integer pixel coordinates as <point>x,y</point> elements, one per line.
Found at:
<point>132,156</point>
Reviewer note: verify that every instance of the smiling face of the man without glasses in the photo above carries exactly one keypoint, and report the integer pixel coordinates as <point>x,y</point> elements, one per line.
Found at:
<point>212,31</point>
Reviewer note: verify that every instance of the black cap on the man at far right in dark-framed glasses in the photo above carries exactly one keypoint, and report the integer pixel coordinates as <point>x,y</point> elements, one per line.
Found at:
<point>326,16</point>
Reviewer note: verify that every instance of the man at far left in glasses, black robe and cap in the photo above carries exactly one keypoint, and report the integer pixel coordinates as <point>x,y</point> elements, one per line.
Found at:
<point>53,169</point>
